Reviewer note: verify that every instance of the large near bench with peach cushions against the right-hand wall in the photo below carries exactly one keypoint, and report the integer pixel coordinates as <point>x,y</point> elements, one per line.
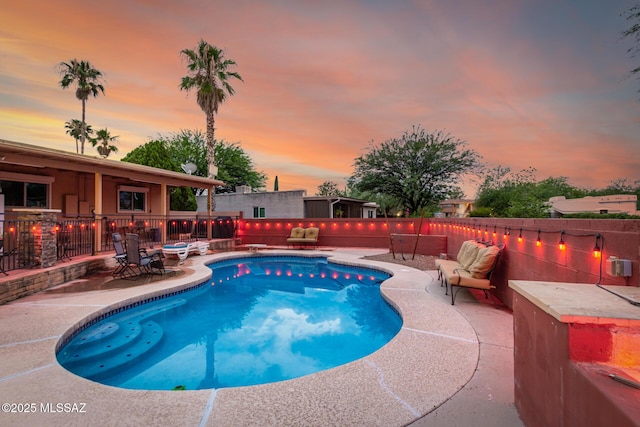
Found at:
<point>471,269</point>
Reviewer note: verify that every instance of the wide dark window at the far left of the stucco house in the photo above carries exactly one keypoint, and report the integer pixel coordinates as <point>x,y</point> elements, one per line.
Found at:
<point>25,191</point>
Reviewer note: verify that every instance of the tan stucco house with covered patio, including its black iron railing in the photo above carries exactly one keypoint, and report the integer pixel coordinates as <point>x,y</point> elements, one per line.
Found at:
<point>89,198</point>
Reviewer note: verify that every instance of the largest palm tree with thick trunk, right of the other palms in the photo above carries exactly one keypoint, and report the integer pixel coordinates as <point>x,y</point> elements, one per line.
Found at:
<point>209,74</point>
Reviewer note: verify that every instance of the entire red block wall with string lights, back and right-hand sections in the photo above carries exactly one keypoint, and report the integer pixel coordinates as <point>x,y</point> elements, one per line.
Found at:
<point>521,260</point>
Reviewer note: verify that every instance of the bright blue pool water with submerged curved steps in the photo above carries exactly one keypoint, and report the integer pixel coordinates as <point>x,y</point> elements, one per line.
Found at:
<point>259,319</point>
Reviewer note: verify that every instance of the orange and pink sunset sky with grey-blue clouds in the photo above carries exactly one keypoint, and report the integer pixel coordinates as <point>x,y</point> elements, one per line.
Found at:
<point>526,83</point>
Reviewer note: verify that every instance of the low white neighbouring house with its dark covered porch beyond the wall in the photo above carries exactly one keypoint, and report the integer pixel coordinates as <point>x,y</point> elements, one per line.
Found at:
<point>290,204</point>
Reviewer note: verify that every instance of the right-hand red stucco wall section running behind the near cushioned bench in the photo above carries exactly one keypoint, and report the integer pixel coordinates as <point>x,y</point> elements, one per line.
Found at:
<point>527,261</point>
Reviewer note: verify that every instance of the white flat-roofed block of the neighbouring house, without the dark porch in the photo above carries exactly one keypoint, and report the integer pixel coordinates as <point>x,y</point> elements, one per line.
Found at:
<point>272,204</point>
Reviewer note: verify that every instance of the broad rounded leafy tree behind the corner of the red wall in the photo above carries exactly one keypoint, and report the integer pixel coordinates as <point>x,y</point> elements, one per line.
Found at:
<point>418,169</point>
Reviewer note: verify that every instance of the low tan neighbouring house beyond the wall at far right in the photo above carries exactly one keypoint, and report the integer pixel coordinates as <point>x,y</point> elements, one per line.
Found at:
<point>618,203</point>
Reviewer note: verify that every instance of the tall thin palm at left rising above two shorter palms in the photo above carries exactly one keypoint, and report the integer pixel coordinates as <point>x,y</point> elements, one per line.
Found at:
<point>87,80</point>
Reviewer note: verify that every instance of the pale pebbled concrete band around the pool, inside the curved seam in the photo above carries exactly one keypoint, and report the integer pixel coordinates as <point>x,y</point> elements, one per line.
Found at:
<point>433,356</point>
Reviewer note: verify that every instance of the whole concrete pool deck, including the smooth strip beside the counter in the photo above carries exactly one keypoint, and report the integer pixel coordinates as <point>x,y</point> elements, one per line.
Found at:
<point>449,365</point>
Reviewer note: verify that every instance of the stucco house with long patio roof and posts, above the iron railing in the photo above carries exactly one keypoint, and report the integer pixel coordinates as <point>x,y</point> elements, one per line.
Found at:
<point>71,186</point>
